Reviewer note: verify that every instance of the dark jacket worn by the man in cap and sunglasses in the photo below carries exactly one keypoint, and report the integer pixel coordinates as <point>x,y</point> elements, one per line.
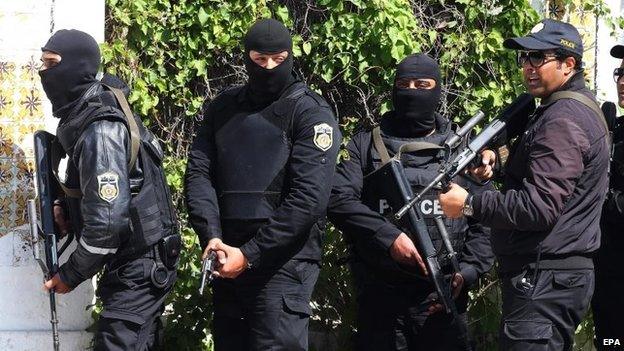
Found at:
<point>555,184</point>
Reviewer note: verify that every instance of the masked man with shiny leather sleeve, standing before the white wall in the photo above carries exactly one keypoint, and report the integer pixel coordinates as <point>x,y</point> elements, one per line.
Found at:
<point>117,200</point>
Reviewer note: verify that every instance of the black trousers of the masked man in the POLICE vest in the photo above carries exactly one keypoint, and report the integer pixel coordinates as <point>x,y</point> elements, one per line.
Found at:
<point>392,315</point>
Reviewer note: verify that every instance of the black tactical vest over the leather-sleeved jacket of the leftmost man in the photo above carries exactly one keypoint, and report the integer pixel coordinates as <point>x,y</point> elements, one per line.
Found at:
<point>152,214</point>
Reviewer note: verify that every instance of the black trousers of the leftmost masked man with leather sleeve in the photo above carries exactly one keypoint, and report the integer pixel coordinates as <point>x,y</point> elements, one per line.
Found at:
<point>132,304</point>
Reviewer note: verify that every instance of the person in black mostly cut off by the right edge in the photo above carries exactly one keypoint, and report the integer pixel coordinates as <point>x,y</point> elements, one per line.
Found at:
<point>607,305</point>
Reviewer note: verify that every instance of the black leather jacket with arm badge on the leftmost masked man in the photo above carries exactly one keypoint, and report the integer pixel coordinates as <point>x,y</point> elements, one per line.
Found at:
<point>99,153</point>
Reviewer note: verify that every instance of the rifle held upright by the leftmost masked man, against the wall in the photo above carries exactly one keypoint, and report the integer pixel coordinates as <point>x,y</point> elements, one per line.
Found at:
<point>44,229</point>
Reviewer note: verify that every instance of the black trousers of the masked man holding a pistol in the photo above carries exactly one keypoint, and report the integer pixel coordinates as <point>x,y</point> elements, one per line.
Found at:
<point>265,309</point>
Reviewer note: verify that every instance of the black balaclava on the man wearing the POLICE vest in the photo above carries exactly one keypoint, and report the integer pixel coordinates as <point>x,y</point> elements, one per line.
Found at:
<point>415,108</point>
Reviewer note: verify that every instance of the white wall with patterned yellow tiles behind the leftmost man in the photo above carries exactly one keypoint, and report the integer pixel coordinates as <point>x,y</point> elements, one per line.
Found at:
<point>25,25</point>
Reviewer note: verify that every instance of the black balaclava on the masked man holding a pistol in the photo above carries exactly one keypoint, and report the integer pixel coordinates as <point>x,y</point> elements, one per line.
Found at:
<point>268,36</point>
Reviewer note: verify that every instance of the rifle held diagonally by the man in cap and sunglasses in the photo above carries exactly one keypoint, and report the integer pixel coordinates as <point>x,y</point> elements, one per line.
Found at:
<point>515,114</point>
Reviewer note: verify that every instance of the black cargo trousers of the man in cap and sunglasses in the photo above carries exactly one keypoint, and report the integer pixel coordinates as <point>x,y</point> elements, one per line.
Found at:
<point>542,310</point>
